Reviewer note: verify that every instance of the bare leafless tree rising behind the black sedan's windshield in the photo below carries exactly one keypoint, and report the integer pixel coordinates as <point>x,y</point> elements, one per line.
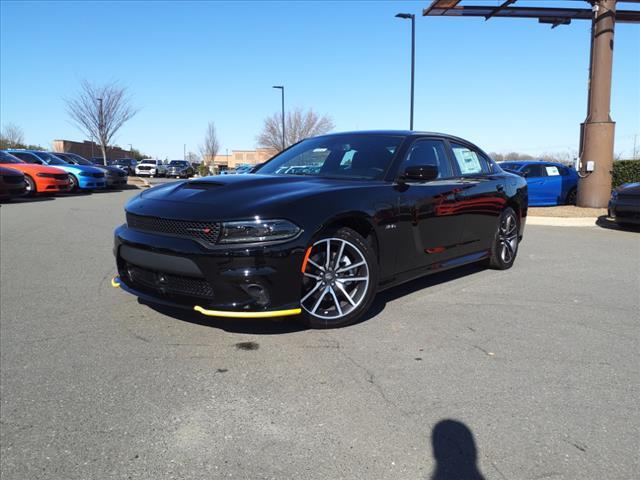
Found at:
<point>298,126</point>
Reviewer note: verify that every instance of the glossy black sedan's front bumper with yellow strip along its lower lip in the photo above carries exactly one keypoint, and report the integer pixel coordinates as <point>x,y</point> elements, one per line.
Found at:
<point>248,282</point>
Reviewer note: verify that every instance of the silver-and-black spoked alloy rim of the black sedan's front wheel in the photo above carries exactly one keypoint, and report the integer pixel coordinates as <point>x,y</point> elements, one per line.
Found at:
<point>336,279</point>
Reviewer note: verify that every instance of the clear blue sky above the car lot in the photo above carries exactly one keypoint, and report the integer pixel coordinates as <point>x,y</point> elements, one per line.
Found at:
<point>504,84</point>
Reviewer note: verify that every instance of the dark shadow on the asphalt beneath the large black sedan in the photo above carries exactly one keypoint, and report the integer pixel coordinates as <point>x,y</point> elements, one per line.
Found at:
<point>290,324</point>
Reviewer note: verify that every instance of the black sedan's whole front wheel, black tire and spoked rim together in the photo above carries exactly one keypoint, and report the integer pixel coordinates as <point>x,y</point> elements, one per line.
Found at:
<point>340,280</point>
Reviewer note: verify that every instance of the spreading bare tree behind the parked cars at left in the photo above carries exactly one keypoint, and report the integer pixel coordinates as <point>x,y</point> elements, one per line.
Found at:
<point>100,110</point>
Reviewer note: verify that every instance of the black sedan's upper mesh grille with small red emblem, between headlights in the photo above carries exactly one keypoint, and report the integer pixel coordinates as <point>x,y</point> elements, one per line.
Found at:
<point>205,232</point>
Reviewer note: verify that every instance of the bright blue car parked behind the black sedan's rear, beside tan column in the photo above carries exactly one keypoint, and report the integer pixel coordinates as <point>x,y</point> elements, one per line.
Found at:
<point>549,183</point>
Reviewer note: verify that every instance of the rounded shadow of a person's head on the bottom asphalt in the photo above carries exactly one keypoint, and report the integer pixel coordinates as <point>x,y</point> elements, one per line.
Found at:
<point>455,452</point>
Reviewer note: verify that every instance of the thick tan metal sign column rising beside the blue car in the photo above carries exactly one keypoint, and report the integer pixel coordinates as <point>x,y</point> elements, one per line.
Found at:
<point>597,131</point>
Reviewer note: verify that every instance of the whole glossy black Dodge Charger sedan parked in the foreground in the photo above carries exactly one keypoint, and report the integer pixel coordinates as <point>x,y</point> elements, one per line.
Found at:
<point>359,213</point>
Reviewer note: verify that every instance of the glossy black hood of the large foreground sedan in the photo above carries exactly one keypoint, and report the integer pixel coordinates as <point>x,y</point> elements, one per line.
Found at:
<point>235,196</point>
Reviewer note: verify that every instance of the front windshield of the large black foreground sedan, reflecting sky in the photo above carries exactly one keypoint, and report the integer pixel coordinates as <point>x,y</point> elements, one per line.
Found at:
<point>349,156</point>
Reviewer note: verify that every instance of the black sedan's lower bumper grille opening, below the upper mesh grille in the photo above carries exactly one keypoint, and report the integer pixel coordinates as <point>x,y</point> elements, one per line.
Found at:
<point>167,283</point>
